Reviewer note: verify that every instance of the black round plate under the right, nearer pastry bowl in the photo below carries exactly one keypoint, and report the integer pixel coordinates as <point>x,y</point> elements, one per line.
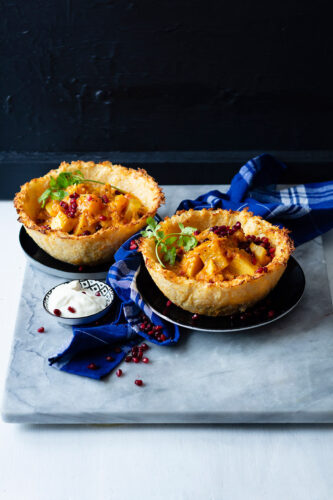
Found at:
<point>278,303</point>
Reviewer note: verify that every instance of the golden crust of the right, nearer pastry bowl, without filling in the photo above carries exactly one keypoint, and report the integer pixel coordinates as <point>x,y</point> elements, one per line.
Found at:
<point>222,297</point>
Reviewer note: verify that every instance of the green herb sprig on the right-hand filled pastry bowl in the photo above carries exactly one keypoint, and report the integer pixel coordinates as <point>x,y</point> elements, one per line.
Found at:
<point>168,244</point>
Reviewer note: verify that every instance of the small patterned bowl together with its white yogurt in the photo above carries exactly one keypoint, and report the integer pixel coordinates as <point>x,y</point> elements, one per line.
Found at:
<point>79,302</point>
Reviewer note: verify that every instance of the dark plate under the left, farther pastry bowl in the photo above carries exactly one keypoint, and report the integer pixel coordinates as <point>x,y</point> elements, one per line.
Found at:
<point>44,262</point>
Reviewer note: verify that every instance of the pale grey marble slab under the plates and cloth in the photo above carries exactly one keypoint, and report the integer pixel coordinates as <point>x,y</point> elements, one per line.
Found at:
<point>281,373</point>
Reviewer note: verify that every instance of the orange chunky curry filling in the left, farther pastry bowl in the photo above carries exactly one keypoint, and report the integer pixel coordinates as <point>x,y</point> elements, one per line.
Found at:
<point>88,208</point>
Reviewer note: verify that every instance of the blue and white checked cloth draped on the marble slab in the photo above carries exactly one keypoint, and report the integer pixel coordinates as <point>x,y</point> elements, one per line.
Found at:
<point>306,210</point>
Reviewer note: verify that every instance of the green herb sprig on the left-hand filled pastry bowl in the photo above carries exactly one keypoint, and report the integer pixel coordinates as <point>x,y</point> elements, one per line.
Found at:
<point>57,186</point>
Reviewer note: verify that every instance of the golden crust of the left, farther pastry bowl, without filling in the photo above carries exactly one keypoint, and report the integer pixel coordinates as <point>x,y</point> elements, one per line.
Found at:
<point>100,246</point>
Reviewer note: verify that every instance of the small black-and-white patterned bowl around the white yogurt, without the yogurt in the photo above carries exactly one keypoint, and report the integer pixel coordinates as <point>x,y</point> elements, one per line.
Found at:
<point>93,285</point>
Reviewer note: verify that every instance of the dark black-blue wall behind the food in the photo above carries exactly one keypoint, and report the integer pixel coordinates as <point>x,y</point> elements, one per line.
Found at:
<point>155,79</point>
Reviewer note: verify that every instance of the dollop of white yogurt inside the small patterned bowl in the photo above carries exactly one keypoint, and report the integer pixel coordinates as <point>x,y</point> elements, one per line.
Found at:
<point>84,301</point>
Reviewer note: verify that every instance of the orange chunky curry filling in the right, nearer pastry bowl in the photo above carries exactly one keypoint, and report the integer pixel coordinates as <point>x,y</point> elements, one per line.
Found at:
<point>223,253</point>
